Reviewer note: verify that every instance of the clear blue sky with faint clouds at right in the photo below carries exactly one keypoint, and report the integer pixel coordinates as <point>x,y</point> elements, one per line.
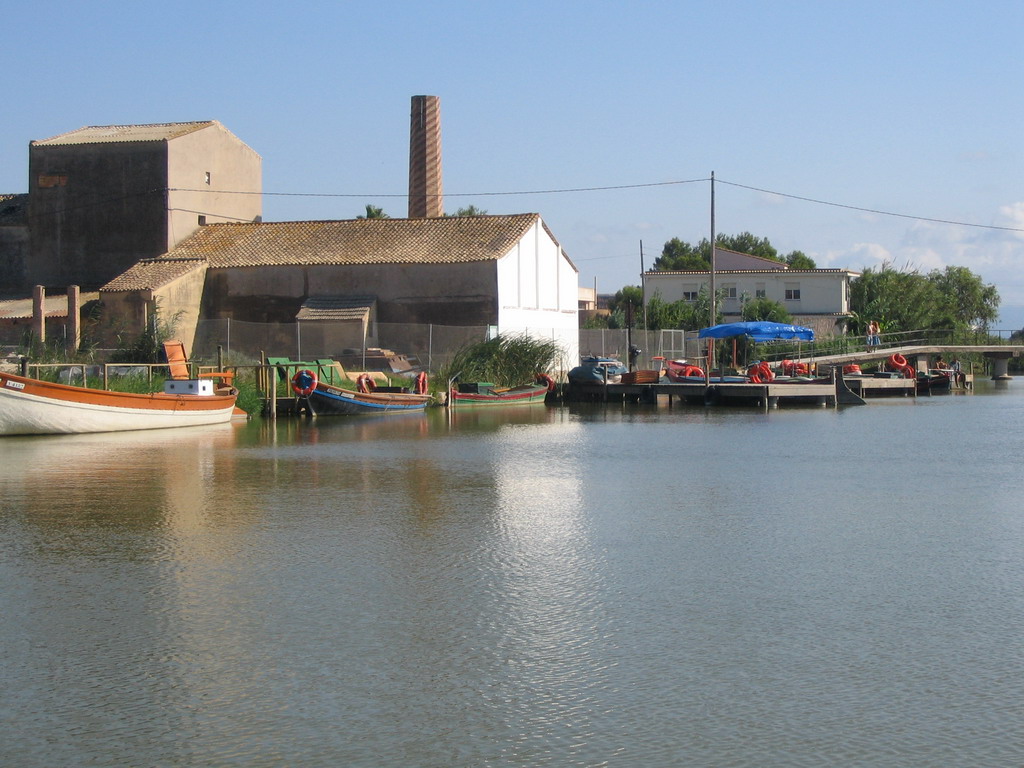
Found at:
<point>860,134</point>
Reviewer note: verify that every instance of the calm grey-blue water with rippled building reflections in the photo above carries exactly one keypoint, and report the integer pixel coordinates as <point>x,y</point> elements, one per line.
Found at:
<point>565,587</point>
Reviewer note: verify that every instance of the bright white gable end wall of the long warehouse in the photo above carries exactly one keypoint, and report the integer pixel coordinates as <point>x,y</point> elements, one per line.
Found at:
<point>538,293</point>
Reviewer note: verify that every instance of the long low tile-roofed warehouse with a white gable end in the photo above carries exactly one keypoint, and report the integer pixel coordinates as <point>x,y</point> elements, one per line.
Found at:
<point>508,273</point>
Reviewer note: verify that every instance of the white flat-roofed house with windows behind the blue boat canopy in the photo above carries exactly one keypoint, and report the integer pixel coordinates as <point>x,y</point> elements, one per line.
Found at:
<point>817,298</point>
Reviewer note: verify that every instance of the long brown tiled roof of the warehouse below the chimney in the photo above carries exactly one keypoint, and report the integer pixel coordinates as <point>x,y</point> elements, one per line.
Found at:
<point>435,241</point>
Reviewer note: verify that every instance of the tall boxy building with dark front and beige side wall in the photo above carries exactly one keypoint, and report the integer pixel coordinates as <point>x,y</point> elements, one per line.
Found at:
<point>102,198</point>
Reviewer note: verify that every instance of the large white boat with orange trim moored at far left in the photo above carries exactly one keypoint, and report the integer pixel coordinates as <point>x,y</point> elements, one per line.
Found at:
<point>35,407</point>
